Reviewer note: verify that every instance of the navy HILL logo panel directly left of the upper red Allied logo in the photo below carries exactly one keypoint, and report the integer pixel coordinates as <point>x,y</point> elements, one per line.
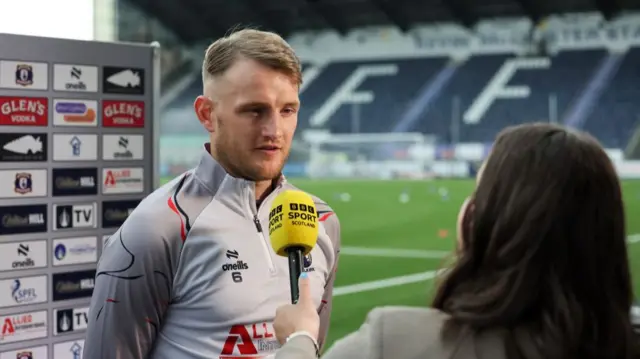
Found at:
<point>75,181</point>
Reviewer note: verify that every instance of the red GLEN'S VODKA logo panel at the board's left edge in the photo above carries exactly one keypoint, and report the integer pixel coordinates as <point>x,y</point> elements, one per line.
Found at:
<point>24,111</point>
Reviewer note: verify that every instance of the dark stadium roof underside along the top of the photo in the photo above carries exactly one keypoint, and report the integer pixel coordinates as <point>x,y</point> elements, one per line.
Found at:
<point>199,20</point>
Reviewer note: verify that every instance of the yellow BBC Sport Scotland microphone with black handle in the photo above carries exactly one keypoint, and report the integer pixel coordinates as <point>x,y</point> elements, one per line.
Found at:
<point>293,230</point>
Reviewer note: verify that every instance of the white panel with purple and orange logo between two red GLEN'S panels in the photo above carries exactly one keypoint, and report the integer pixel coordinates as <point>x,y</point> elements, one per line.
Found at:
<point>78,113</point>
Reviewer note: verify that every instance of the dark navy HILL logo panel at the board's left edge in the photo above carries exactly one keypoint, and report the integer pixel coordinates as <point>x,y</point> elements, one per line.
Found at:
<point>23,219</point>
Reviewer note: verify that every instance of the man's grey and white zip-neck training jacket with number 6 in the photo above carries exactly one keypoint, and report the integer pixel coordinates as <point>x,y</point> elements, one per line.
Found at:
<point>191,273</point>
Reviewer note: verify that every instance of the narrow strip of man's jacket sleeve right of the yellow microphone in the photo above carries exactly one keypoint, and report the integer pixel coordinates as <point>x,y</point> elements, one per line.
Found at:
<point>332,226</point>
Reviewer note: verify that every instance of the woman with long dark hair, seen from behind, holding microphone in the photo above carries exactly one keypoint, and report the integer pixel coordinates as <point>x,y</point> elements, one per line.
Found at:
<point>541,269</point>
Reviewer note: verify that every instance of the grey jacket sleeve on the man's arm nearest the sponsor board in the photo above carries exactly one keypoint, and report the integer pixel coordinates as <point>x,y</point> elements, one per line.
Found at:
<point>132,292</point>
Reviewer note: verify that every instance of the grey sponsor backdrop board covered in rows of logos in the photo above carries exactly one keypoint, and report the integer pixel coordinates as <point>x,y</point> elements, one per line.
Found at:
<point>77,155</point>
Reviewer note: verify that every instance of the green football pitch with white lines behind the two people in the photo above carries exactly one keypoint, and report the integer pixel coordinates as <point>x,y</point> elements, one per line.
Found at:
<point>395,234</point>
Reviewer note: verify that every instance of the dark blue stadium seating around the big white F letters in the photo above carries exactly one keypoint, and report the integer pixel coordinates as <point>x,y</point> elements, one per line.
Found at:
<point>588,88</point>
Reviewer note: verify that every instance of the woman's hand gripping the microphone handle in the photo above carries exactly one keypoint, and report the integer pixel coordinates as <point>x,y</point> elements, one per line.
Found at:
<point>302,316</point>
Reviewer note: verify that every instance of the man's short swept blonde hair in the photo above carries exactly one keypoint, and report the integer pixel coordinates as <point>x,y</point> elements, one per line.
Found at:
<point>267,48</point>
